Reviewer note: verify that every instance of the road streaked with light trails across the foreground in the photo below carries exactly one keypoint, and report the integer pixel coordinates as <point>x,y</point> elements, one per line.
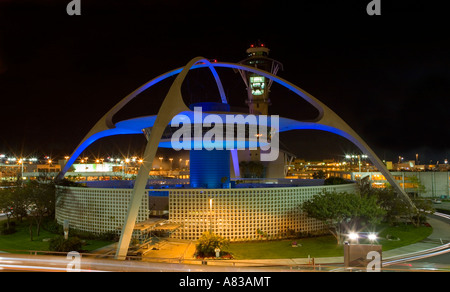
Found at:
<point>436,259</point>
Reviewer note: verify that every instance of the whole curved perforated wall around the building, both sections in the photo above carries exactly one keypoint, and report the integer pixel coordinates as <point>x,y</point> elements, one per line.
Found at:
<point>238,214</point>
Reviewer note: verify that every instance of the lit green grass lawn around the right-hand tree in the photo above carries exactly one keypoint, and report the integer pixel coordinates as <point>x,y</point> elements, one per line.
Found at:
<point>324,246</point>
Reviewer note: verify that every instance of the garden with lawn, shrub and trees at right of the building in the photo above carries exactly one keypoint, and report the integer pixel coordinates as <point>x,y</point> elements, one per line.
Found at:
<point>396,223</point>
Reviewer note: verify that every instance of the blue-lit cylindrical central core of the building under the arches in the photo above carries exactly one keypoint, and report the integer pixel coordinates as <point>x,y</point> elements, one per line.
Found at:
<point>210,168</point>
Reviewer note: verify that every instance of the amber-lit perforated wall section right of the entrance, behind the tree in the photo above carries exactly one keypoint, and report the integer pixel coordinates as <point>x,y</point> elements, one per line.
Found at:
<point>246,214</point>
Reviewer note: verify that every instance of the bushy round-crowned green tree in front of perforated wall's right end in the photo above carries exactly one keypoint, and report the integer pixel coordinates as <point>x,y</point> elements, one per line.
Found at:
<point>343,211</point>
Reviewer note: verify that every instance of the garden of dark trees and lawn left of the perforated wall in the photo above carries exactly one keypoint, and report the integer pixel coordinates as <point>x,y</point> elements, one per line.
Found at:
<point>28,221</point>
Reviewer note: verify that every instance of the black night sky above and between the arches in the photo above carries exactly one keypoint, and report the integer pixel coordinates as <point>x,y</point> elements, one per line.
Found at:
<point>387,76</point>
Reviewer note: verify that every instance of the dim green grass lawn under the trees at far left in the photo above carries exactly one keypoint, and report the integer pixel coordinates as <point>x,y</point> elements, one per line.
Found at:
<point>21,240</point>
